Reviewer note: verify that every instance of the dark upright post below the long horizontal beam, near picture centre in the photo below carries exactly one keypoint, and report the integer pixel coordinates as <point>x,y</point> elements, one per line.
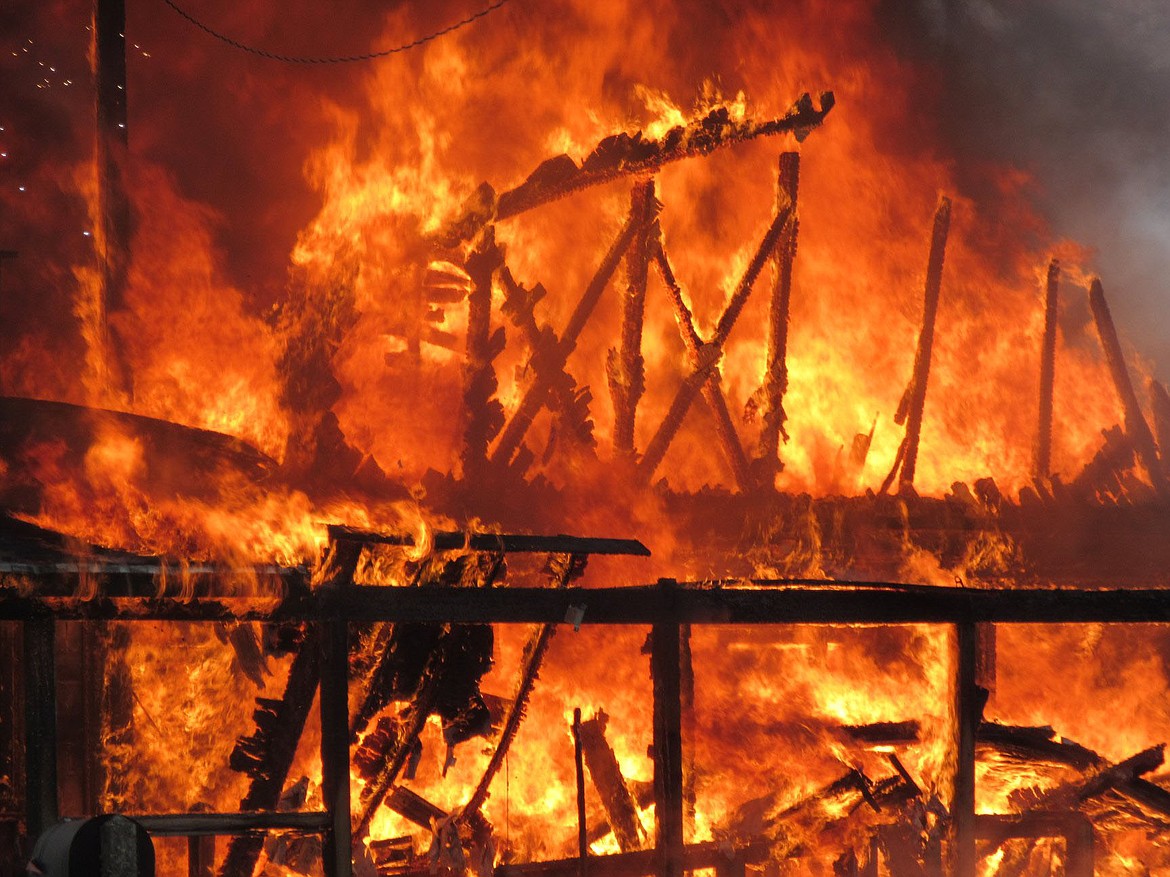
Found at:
<point>666,655</point>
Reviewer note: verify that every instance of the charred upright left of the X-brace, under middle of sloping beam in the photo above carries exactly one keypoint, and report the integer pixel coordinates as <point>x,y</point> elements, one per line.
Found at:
<point>625,367</point>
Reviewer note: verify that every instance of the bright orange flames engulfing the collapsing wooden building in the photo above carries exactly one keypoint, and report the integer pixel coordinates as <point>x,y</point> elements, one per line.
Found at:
<point>345,399</point>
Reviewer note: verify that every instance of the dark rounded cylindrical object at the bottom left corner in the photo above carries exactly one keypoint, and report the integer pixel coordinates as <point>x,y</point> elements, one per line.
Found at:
<point>101,847</point>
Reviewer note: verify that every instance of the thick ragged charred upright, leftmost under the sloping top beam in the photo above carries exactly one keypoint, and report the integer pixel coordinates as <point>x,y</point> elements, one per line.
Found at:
<point>483,413</point>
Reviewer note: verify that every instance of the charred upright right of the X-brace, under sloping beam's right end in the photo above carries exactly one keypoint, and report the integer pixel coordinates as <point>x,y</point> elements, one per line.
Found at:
<point>776,381</point>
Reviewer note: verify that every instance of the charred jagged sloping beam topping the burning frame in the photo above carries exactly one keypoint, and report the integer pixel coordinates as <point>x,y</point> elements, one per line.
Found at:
<point>625,156</point>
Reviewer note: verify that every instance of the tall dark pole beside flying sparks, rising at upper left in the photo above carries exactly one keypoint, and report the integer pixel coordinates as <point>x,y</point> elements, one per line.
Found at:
<point>113,234</point>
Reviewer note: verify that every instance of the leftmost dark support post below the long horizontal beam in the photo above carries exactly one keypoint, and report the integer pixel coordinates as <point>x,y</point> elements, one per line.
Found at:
<point>42,810</point>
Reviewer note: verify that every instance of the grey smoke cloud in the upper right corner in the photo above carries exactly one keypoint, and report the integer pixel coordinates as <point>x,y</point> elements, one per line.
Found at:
<point>1076,93</point>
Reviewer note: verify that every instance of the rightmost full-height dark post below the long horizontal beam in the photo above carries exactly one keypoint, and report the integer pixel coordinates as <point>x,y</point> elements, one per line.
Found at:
<point>967,719</point>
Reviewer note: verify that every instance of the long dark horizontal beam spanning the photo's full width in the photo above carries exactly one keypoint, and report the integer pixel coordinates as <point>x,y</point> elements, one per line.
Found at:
<point>766,603</point>
